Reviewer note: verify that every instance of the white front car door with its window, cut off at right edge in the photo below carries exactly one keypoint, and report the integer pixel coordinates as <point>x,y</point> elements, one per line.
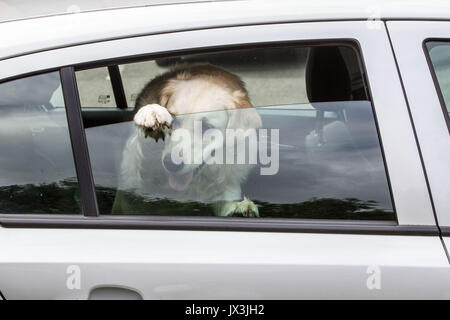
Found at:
<point>427,50</point>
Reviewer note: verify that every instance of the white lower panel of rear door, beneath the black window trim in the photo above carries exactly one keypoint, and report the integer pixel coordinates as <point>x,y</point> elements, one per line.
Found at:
<point>221,265</point>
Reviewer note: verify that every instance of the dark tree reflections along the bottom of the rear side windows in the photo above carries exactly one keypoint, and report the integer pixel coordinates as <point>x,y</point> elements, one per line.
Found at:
<point>63,198</point>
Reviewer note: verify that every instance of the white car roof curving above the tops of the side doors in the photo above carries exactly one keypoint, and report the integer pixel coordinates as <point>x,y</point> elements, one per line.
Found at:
<point>37,34</point>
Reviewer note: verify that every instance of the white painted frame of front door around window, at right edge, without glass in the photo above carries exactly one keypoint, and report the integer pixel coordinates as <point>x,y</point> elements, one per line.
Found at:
<point>426,110</point>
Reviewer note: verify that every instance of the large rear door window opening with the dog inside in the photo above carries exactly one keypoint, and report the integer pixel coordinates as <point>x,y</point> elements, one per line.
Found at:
<point>275,132</point>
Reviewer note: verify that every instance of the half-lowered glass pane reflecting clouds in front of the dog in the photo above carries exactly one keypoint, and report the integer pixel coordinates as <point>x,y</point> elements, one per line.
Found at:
<point>320,161</point>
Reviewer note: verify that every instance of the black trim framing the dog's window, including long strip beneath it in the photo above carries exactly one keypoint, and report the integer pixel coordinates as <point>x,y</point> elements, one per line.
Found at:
<point>217,223</point>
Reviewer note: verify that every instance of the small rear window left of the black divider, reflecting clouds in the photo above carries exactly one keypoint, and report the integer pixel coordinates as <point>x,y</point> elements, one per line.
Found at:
<point>37,172</point>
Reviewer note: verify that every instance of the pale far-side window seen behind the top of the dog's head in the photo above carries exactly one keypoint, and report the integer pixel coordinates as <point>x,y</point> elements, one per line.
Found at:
<point>272,77</point>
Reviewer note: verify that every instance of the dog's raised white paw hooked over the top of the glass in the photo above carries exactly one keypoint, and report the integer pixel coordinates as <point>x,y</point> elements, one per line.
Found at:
<point>154,120</point>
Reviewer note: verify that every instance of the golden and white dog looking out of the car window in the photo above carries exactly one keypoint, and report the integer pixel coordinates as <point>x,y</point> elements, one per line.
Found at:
<point>180,99</point>
